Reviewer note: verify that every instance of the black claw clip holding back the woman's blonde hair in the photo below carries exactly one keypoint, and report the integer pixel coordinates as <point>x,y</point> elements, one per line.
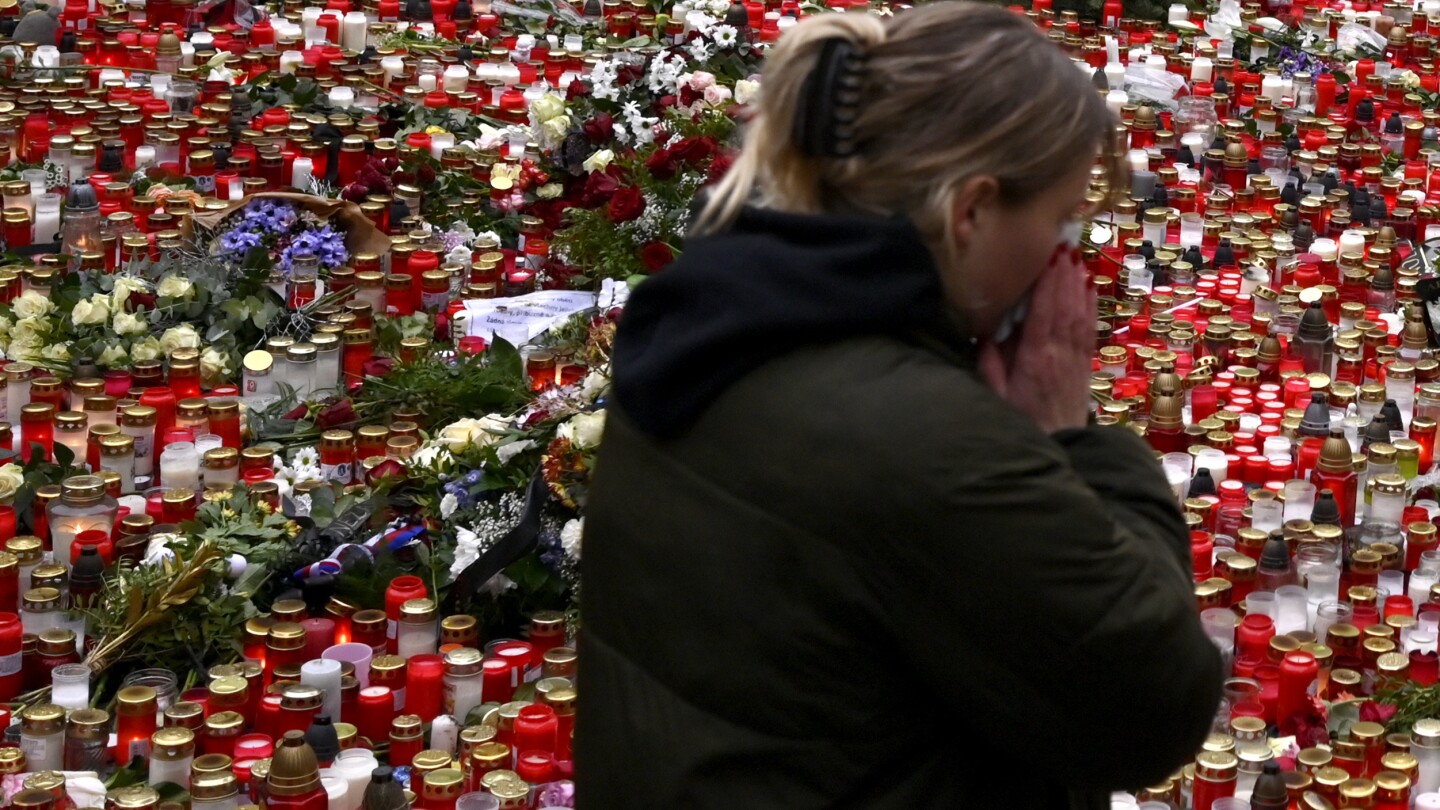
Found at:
<point>830,104</point>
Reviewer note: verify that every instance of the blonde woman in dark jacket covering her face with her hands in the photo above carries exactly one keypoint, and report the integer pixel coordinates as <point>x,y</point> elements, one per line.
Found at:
<point>852,543</point>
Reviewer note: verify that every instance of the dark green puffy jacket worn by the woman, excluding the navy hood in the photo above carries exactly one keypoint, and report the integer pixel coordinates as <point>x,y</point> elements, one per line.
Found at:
<point>859,579</point>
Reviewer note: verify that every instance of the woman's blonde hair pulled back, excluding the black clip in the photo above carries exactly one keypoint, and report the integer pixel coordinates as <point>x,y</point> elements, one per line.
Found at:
<point>950,92</point>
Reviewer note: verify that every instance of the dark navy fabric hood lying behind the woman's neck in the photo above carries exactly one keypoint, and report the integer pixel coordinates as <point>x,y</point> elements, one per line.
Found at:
<point>773,283</point>
